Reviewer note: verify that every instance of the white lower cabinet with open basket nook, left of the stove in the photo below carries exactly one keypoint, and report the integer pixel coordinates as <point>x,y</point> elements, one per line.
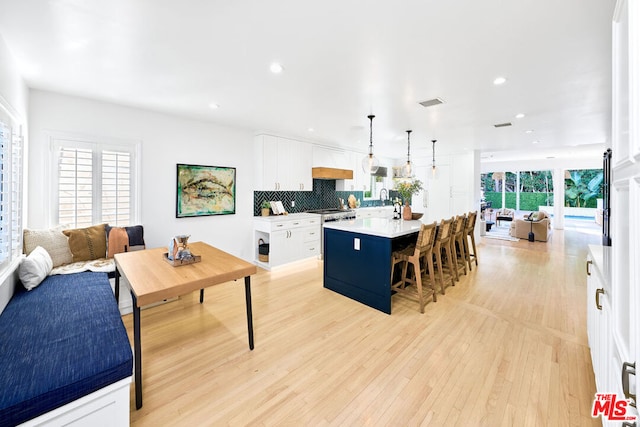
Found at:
<point>290,238</point>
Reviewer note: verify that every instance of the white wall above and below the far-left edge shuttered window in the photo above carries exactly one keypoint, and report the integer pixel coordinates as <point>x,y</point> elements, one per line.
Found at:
<point>13,94</point>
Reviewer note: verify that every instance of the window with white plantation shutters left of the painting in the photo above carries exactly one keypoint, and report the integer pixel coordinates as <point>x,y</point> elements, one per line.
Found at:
<point>95,183</point>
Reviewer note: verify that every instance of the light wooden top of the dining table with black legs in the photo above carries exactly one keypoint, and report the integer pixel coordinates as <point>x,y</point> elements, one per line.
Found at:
<point>152,279</point>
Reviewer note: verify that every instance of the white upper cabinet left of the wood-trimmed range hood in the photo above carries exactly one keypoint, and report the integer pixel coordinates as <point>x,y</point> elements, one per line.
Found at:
<point>282,164</point>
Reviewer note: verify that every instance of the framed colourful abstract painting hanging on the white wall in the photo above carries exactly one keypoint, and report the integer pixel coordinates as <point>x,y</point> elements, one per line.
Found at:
<point>205,190</point>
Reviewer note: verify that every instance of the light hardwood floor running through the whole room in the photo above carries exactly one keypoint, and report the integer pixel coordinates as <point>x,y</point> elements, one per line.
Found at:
<point>506,346</point>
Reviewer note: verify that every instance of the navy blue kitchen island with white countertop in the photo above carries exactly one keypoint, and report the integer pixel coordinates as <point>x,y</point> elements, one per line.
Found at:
<point>357,257</point>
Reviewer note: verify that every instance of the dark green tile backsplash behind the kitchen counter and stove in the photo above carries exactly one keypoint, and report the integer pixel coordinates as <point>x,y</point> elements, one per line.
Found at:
<point>323,195</point>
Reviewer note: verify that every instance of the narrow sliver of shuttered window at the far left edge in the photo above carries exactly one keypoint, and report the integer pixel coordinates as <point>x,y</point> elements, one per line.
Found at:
<point>10,188</point>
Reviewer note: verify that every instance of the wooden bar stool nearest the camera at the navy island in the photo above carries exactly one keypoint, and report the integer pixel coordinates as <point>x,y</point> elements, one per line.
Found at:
<point>420,256</point>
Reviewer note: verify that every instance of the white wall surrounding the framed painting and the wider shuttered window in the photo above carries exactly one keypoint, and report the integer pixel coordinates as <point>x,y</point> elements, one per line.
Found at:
<point>165,141</point>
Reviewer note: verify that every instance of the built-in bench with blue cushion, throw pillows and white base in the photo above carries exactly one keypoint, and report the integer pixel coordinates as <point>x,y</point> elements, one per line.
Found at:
<point>64,351</point>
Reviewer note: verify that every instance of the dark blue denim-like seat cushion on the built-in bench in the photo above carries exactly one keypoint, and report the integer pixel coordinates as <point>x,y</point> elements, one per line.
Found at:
<point>59,342</point>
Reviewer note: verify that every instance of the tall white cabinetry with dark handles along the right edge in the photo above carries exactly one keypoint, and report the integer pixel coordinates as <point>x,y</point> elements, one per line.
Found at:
<point>621,322</point>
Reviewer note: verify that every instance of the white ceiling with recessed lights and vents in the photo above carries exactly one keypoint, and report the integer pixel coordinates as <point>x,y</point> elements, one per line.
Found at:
<point>343,60</point>
